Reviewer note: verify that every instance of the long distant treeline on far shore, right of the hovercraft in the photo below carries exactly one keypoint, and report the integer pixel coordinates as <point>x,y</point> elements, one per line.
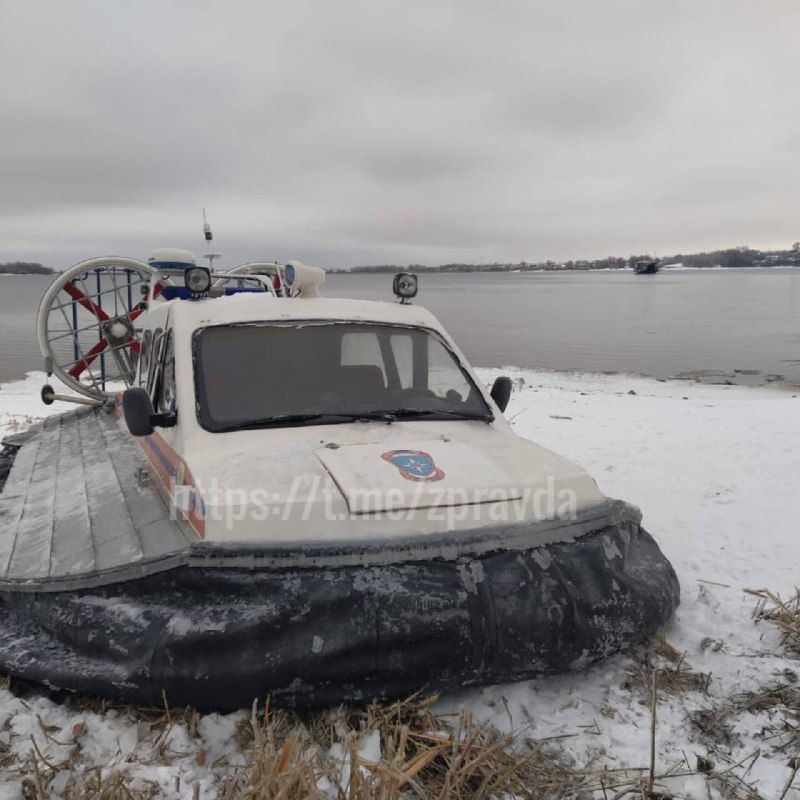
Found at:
<point>734,257</point>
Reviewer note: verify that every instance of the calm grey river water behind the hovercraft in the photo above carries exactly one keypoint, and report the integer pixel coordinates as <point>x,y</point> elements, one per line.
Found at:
<point>662,325</point>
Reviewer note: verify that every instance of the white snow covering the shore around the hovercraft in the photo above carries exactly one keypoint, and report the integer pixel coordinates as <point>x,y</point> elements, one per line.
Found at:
<point>715,471</point>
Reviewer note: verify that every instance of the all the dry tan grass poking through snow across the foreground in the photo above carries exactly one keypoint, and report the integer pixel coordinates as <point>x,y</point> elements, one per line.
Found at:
<point>406,750</point>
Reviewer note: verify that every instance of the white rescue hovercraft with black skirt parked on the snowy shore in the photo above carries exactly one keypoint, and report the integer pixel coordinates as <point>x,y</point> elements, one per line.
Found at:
<point>268,492</point>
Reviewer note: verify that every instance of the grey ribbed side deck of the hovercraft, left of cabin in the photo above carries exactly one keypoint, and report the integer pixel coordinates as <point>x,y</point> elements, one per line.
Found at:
<point>79,509</point>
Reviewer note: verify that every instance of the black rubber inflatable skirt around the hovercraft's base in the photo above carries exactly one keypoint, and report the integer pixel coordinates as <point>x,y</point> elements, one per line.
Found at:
<point>218,637</point>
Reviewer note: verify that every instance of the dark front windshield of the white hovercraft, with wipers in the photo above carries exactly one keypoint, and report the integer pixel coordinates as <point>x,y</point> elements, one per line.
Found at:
<point>267,375</point>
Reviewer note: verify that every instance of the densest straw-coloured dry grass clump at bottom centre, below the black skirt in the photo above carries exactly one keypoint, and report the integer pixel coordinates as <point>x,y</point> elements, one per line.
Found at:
<point>422,755</point>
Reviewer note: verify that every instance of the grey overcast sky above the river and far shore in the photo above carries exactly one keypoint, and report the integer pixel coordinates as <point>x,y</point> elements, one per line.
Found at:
<point>347,133</point>
